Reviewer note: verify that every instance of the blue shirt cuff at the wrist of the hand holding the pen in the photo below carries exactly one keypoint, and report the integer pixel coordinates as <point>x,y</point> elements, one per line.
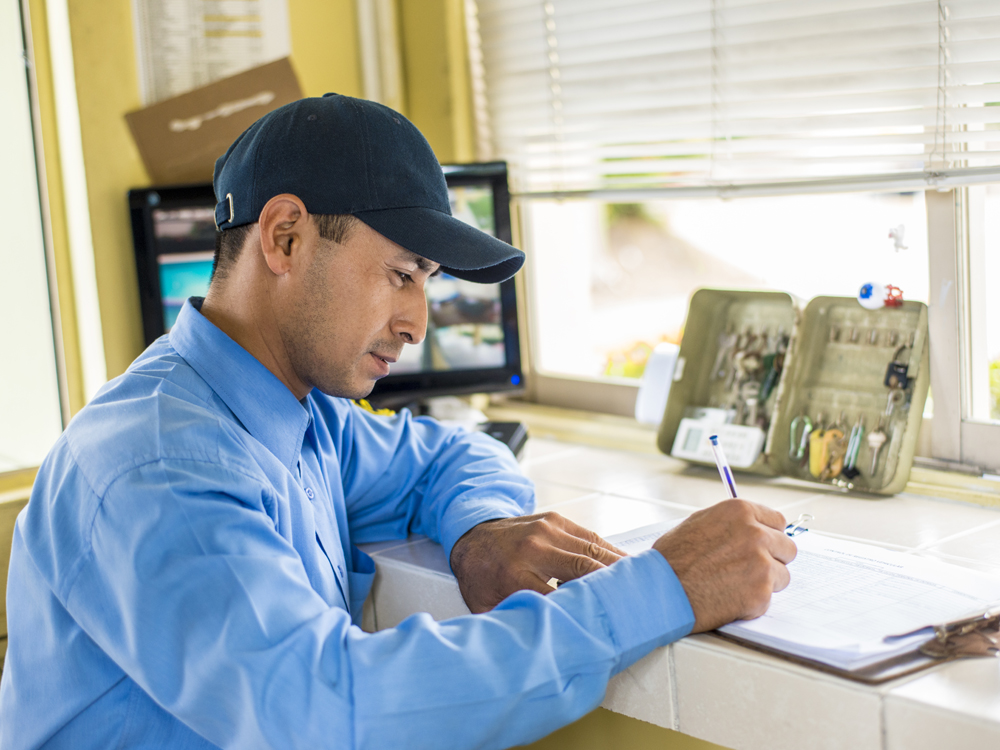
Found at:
<point>645,604</point>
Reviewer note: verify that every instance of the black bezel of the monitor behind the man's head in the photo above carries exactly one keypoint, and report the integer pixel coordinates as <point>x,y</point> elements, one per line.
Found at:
<point>394,389</point>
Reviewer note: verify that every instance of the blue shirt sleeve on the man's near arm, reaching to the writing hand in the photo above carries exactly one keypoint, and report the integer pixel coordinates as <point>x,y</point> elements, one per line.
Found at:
<point>191,591</point>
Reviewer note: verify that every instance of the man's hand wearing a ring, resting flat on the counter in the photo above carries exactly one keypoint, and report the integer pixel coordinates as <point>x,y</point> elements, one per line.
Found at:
<point>497,558</point>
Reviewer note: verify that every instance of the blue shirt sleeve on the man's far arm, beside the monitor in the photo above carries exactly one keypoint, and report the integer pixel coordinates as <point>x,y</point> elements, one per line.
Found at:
<point>405,475</point>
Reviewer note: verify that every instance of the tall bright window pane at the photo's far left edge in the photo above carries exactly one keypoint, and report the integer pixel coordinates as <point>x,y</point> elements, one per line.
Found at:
<point>30,415</point>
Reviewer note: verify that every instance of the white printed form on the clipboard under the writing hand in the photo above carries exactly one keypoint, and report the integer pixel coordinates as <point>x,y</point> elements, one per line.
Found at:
<point>851,605</point>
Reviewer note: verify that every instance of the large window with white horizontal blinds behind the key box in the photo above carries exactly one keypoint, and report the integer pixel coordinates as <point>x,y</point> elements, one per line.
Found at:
<point>638,130</point>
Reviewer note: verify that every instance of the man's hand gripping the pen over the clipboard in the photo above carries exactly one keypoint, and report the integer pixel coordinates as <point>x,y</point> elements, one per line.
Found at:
<point>729,558</point>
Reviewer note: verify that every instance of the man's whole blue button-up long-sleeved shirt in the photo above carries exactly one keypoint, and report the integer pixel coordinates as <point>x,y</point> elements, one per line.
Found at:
<point>184,576</point>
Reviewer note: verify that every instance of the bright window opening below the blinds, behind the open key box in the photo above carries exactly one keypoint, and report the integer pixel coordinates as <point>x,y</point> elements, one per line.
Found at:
<point>625,271</point>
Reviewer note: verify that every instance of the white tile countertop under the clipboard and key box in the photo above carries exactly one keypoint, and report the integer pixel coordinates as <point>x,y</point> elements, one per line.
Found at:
<point>718,691</point>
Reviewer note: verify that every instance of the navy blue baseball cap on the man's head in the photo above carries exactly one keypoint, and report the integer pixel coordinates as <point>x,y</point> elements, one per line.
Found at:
<point>341,155</point>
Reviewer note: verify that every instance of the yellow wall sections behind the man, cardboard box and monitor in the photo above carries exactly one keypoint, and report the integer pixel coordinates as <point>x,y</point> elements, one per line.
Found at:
<point>325,57</point>
